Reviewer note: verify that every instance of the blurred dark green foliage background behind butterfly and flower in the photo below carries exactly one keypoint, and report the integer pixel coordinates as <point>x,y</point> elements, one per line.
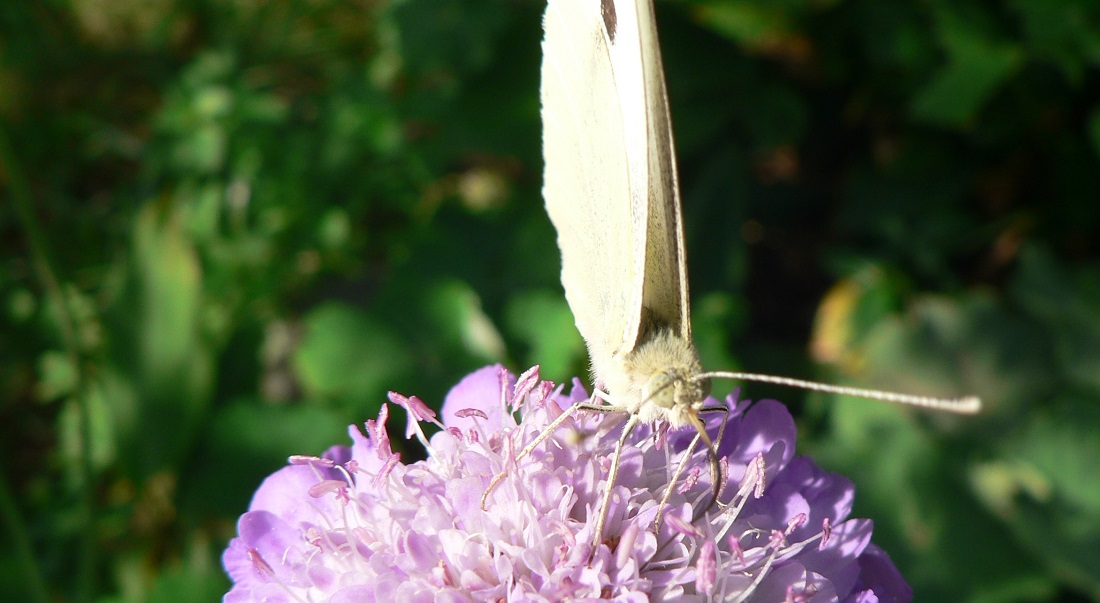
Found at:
<point>228,228</point>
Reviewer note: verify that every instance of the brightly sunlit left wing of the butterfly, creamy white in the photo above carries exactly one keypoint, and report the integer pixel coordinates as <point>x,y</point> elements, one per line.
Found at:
<point>587,185</point>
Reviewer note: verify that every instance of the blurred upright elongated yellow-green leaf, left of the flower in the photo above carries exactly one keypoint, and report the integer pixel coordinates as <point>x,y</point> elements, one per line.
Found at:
<point>161,352</point>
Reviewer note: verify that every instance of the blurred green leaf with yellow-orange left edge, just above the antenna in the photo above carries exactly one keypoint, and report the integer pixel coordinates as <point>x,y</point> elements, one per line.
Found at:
<point>940,346</point>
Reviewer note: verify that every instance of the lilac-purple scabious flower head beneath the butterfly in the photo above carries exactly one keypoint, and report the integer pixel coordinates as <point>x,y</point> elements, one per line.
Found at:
<point>359,525</point>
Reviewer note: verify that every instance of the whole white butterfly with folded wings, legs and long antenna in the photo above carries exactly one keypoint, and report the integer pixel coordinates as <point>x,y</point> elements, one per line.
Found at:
<point>611,191</point>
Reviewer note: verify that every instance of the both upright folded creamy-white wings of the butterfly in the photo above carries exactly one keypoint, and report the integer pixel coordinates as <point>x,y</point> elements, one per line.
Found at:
<point>610,183</point>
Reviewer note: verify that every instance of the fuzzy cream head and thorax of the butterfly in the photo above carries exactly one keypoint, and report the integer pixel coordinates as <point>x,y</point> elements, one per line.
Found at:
<point>657,380</point>
